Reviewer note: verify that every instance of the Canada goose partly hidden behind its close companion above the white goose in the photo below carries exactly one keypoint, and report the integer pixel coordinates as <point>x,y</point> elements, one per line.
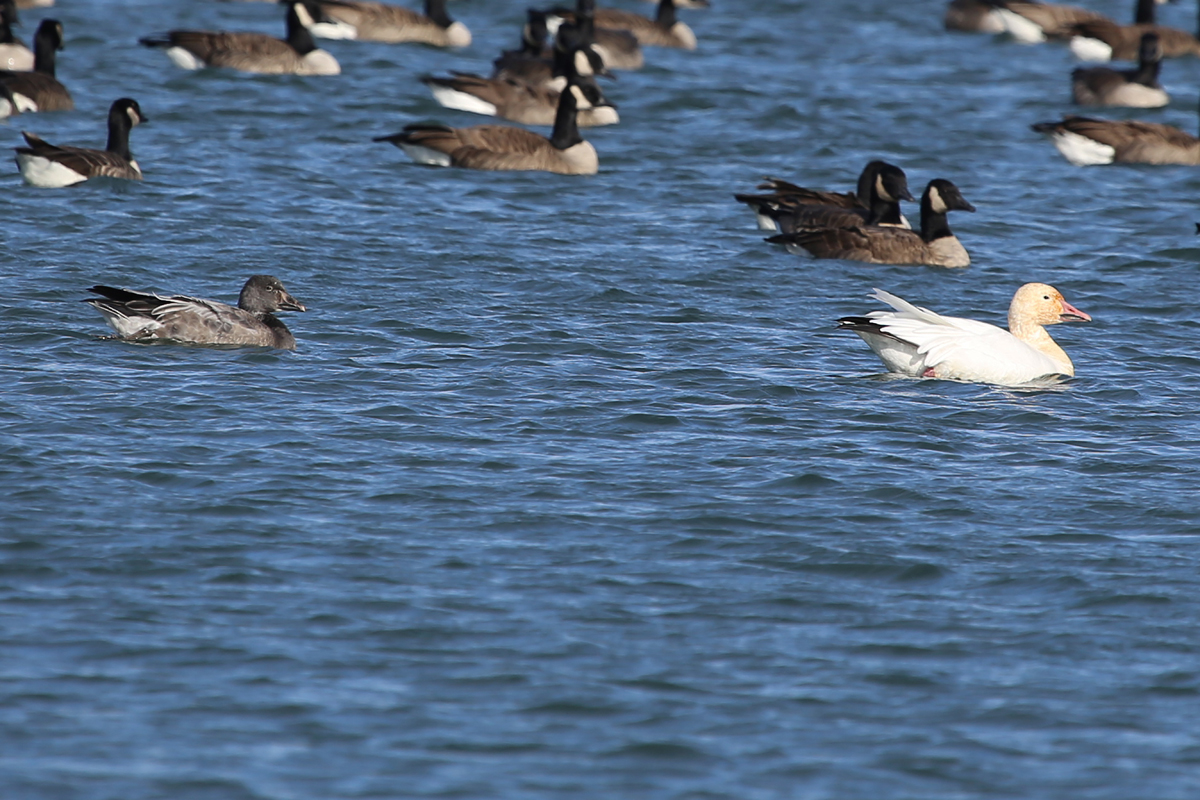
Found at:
<point>881,187</point>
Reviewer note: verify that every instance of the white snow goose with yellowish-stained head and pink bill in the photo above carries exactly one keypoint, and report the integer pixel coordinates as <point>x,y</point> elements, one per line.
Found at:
<point>917,342</point>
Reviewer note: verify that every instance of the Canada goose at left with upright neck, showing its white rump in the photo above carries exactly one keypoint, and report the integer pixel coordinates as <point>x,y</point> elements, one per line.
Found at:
<point>51,166</point>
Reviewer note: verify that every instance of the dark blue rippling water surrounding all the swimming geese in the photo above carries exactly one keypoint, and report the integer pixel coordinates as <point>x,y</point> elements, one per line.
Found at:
<point>572,491</point>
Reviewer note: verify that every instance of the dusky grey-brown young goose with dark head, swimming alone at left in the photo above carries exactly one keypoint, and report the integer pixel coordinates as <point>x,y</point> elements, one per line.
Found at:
<point>141,316</point>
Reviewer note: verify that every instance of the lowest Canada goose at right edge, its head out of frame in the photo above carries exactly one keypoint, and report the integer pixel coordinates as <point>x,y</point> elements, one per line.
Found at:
<point>1087,142</point>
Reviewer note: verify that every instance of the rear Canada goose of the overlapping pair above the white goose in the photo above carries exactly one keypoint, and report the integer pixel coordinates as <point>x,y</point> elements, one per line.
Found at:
<point>878,179</point>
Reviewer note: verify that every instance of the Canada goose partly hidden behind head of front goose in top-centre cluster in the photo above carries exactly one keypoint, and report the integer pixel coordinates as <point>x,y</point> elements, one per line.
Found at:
<point>526,104</point>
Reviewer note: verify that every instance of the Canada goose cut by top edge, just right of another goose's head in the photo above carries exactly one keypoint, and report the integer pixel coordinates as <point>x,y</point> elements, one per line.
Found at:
<point>377,22</point>
